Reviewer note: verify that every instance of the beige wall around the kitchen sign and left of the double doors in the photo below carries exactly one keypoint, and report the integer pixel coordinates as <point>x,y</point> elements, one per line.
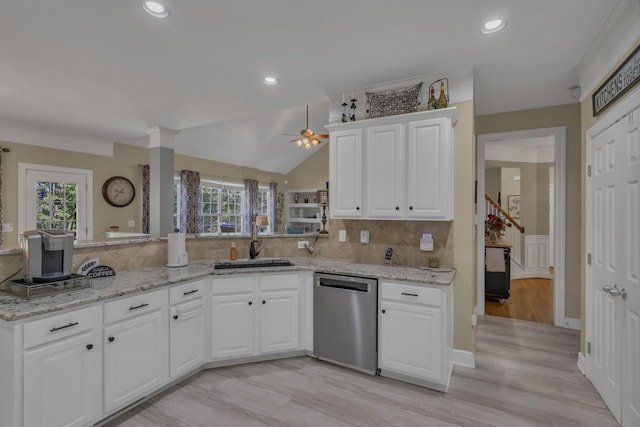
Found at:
<point>587,121</point>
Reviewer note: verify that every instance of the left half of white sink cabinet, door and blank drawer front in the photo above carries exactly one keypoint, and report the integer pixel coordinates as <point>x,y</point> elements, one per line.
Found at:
<point>233,317</point>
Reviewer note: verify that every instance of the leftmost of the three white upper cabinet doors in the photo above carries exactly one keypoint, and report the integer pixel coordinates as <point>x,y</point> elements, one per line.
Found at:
<point>345,167</point>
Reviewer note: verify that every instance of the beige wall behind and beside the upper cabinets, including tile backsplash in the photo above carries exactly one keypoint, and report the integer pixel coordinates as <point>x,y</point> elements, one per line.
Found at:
<point>454,242</point>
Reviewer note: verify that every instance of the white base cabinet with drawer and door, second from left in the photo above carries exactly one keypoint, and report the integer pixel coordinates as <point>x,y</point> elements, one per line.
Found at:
<point>136,351</point>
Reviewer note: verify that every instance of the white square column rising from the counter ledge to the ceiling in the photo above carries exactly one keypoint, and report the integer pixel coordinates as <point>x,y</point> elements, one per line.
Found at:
<point>161,150</point>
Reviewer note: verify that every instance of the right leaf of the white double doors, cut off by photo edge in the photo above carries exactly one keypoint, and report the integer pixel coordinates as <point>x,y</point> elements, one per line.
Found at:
<point>629,277</point>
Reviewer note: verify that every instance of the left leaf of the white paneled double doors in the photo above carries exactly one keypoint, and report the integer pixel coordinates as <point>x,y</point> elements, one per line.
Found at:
<point>605,334</point>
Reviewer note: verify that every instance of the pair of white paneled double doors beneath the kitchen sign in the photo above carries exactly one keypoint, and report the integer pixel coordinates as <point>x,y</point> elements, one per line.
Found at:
<point>613,281</point>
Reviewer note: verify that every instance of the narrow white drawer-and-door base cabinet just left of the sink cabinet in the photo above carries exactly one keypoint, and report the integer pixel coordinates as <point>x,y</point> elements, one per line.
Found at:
<point>187,321</point>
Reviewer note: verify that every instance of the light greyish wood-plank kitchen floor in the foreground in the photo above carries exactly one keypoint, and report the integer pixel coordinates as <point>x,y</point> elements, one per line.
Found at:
<point>526,375</point>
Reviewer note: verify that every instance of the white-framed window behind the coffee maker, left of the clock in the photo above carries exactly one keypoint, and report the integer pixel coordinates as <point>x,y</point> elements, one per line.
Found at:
<point>55,197</point>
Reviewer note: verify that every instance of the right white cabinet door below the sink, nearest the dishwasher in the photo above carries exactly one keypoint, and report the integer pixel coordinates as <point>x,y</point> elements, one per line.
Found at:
<point>279,321</point>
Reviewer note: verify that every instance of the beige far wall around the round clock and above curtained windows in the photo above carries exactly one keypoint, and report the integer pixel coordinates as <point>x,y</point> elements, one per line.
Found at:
<point>126,162</point>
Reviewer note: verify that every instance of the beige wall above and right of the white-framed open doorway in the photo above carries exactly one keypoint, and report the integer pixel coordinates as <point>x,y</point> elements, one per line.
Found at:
<point>568,116</point>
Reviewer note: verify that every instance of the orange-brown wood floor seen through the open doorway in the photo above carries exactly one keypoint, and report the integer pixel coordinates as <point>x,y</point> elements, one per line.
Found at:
<point>530,299</point>
